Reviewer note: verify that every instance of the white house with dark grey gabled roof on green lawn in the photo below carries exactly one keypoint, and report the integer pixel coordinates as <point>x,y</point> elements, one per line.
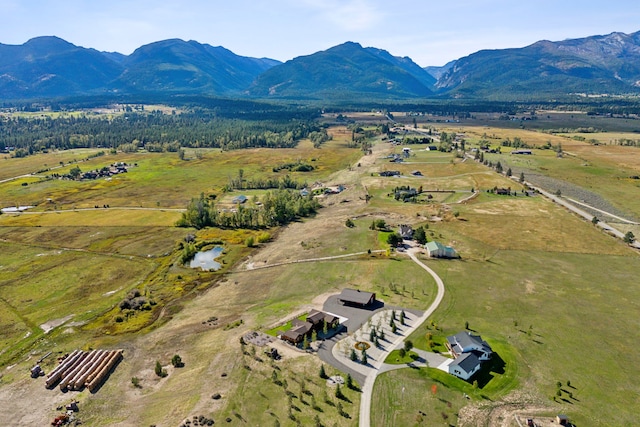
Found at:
<point>469,352</point>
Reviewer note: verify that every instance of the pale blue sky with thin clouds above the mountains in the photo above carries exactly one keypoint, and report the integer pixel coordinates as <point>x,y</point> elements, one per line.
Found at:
<point>430,32</point>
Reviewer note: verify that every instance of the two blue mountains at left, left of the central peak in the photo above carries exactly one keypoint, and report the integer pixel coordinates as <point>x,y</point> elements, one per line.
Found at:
<point>46,67</point>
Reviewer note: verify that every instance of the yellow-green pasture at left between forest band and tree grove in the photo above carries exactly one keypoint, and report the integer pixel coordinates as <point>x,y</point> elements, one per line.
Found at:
<point>162,180</point>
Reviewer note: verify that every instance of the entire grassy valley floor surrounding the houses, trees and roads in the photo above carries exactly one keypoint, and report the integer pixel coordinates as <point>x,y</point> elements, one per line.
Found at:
<point>545,288</point>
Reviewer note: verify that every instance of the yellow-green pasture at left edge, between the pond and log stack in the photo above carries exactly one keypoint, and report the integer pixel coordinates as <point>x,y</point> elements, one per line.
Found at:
<point>42,285</point>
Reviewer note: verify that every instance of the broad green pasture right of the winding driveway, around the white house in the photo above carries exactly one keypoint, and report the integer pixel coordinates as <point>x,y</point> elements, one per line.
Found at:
<point>560,314</point>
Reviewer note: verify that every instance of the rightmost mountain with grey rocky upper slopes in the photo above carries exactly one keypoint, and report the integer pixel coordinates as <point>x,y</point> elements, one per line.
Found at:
<point>598,64</point>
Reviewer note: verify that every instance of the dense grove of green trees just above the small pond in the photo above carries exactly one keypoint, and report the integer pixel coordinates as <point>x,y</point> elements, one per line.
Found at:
<point>278,207</point>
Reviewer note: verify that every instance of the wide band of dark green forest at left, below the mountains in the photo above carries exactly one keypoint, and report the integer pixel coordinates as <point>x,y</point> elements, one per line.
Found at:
<point>153,131</point>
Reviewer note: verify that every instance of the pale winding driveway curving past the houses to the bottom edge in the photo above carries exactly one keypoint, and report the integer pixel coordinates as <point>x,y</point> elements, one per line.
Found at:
<point>367,388</point>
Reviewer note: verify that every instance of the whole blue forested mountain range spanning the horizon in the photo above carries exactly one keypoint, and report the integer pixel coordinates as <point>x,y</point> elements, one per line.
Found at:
<point>48,67</point>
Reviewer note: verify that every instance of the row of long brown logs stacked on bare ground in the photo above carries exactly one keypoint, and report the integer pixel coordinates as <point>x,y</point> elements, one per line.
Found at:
<point>84,369</point>
